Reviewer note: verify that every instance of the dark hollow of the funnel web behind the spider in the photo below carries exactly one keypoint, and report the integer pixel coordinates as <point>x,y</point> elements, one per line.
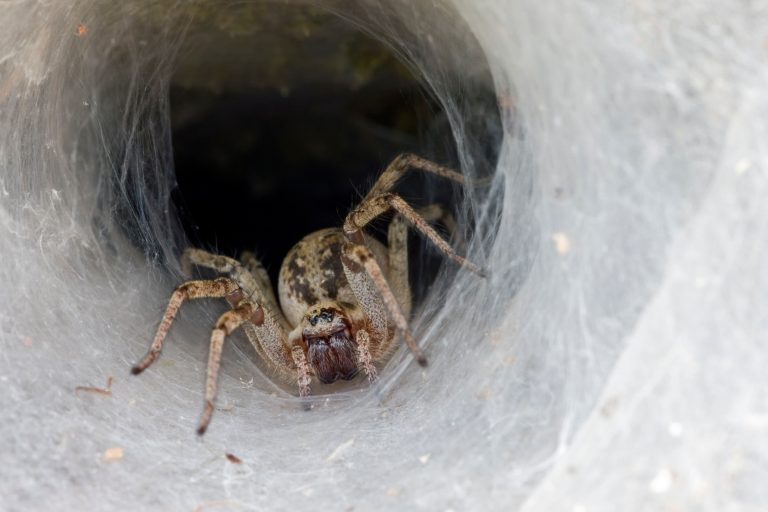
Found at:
<point>262,162</point>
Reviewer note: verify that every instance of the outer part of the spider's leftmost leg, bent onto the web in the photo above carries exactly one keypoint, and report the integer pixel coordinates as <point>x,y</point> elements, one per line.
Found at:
<point>221,287</point>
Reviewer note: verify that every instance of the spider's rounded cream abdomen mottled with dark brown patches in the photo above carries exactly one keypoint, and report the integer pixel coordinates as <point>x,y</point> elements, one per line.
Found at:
<point>312,272</point>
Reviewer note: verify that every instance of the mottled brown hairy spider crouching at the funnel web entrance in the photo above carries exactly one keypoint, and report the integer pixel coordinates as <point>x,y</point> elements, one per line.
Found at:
<point>344,295</point>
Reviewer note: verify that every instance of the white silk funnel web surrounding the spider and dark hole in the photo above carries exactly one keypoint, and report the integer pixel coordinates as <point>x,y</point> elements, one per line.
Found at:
<point>614,360</point>
